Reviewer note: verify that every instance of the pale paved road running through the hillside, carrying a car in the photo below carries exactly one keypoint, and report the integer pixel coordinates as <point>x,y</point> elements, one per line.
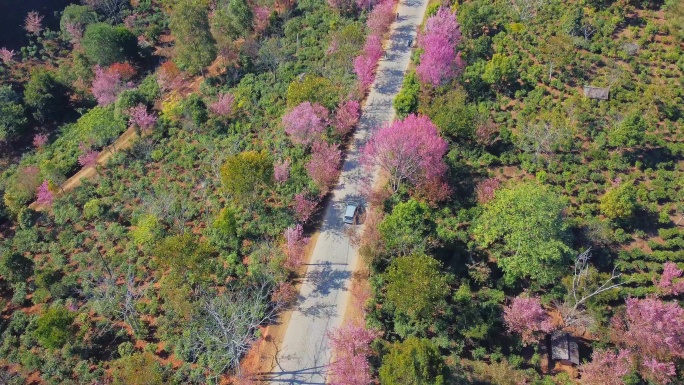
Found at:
<point>324,294</point>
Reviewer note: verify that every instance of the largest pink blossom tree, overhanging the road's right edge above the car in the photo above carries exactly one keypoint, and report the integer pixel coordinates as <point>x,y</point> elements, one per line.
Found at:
<point>408,150</point>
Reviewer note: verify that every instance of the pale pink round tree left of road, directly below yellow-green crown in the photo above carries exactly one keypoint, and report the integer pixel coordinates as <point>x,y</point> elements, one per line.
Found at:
<point>305,123</point>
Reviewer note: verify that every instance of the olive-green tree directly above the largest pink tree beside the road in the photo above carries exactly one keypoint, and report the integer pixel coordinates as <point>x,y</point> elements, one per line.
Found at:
<point>452,114</point>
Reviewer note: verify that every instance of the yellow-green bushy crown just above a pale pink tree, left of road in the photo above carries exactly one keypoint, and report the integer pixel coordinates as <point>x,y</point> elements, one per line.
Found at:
<point>314,89</point>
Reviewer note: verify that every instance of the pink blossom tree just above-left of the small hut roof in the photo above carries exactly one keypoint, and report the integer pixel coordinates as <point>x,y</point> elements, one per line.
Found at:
<point>526,317</point>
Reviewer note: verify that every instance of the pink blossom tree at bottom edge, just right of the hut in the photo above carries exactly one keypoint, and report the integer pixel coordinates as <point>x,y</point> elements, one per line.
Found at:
<point>606,367</point>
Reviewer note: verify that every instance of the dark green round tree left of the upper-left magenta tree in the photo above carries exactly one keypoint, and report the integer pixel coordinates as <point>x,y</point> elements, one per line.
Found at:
<point>45,95</point>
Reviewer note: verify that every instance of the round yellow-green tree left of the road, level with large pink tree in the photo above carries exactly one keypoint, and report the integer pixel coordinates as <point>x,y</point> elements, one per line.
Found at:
<point>246,174</point>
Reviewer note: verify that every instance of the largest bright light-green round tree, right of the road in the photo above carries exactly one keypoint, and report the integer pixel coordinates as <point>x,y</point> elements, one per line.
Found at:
<point>523,228</point>
